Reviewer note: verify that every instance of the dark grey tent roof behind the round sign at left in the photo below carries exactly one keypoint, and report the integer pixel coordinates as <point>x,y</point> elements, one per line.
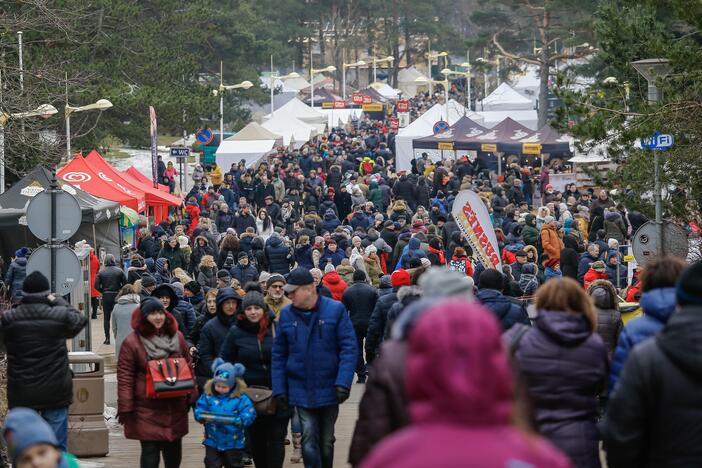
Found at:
<point>17,197</point>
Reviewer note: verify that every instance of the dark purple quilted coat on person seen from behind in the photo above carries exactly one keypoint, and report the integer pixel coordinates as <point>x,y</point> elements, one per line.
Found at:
<point>565,366</point>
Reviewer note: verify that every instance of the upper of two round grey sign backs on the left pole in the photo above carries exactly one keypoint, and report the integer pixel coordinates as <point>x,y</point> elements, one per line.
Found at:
<point>68,216</point>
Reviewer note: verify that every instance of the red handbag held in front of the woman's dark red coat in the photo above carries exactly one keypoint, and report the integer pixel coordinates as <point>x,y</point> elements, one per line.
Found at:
<point>168,378</point>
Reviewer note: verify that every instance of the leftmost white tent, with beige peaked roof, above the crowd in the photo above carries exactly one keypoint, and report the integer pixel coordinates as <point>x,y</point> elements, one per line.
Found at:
<point>251,143</point>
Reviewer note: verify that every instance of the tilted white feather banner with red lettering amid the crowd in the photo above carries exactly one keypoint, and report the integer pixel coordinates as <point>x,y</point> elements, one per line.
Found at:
<point>473,219</point>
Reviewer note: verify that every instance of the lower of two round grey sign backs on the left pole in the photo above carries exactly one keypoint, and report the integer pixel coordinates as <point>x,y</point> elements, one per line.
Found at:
<point>67,267</point>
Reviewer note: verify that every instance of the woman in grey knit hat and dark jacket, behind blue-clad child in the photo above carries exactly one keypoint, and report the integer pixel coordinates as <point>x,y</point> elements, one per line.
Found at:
<point>249,342</point>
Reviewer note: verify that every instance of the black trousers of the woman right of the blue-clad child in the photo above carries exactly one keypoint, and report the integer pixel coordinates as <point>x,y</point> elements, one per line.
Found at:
<point>267,439</point>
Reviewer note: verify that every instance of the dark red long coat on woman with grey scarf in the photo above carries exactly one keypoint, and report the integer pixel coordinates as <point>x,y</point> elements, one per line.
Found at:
<point>145,418</point>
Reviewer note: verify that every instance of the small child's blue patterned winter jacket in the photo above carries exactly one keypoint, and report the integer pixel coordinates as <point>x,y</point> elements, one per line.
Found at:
<point>225,417</point>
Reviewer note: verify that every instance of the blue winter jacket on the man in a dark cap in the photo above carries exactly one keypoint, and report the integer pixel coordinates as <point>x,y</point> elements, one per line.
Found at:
<point>313,353</point>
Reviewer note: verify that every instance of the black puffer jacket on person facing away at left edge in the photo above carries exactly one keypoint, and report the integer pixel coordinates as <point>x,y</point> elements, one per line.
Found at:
<point>35,335</point>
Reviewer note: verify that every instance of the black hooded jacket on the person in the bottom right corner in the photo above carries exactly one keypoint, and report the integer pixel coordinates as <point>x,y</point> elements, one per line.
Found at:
<point>653,417</point>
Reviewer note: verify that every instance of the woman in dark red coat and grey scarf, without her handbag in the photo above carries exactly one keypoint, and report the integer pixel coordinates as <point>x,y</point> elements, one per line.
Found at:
<point>159,424</point>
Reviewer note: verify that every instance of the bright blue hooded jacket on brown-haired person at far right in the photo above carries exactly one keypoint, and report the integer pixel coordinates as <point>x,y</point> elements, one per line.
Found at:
<point>658,306</point>
